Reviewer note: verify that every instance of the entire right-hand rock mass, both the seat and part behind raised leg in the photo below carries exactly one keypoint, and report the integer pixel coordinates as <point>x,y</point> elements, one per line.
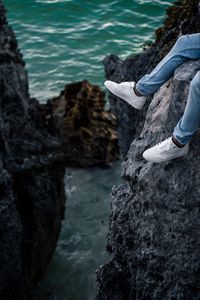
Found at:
<point>154,223</point>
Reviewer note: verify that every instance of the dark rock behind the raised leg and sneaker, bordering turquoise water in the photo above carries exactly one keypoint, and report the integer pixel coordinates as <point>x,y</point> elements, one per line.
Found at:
<point>182,18</point>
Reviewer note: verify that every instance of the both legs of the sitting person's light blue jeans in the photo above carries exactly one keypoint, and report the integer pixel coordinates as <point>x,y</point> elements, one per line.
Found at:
<point>187,47</point>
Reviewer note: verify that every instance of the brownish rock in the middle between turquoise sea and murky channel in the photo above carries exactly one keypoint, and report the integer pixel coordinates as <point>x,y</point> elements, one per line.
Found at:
<point>89,132</point>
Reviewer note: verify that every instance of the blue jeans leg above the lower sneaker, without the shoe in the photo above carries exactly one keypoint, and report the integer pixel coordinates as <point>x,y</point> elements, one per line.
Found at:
<point>190,121</point>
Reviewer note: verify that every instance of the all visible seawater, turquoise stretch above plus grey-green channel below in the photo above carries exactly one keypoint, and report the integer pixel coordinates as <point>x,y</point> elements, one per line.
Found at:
<point>64,41</point>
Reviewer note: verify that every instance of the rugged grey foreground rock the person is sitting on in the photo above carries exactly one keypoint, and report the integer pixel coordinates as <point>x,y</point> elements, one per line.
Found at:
<point>155,221</point>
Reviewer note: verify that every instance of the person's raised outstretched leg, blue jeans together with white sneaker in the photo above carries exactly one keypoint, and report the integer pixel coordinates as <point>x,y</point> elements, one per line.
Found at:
<point>186,47</point>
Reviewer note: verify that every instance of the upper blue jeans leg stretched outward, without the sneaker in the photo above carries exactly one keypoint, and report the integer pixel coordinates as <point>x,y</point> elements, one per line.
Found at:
<point>186,47</point>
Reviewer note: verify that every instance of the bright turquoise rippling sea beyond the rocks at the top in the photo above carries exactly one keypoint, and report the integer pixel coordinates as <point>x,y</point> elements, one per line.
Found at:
<point>65,40</point>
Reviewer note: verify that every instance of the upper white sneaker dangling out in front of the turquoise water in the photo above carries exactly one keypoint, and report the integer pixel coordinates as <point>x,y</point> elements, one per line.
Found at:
<point>125,91</point>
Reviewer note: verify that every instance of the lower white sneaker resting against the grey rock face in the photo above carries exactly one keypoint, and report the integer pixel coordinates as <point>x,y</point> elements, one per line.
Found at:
<point>165,151</point>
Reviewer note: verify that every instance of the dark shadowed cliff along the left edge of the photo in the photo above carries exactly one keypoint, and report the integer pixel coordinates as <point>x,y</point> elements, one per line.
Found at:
<point>31,178</point>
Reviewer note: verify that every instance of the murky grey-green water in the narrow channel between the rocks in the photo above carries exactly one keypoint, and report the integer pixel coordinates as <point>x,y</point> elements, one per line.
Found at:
<point>81,247</point>
